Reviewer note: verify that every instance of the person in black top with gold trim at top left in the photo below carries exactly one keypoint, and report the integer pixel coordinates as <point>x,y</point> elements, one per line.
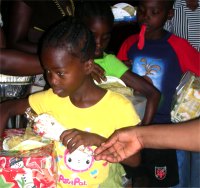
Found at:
<point>27,21</point>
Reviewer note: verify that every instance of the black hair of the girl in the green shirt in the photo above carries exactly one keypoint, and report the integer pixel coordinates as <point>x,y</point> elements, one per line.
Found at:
<point>86,10</point>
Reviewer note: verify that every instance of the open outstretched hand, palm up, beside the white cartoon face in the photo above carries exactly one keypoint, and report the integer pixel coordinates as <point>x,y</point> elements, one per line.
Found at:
<point>122,144</point>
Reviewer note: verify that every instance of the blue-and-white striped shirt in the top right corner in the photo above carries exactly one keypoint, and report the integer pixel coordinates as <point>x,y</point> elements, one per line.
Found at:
<point>185,23</point>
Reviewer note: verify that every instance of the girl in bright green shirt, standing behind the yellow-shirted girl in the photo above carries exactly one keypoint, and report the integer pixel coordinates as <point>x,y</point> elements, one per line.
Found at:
<point>99,19</point>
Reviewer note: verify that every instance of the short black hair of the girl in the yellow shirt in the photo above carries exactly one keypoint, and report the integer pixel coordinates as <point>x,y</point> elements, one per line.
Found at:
<point>73,36</point>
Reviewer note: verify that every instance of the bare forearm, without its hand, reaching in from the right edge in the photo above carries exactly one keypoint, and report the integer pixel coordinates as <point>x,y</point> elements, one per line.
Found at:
<point>185,136</point>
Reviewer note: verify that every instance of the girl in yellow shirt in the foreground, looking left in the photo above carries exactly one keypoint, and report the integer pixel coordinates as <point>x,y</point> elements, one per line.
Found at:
<point>89,113</point>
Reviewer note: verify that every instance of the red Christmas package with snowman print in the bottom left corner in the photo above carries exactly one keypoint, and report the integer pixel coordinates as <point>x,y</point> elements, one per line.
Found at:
<point>32,168</point>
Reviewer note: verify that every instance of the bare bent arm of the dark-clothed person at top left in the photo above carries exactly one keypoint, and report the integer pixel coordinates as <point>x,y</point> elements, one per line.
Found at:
<point>19,25</point>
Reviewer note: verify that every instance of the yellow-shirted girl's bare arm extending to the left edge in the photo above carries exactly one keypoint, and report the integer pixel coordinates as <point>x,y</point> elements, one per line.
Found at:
<point>11,108</point>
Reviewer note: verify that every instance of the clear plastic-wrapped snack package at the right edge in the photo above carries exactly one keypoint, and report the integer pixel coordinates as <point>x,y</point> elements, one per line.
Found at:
<point>186,104</point>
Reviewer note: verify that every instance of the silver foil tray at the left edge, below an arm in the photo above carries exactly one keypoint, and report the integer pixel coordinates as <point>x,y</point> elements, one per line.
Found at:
<point>14,86</point>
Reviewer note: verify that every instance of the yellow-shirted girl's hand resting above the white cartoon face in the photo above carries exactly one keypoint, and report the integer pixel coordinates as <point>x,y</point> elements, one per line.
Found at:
<point>73,138</point>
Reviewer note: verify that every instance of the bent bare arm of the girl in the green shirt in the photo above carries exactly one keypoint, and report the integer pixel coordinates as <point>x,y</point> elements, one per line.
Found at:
<point>152,95</point>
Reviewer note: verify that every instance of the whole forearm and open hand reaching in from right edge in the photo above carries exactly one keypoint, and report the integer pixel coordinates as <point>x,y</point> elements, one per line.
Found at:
<point>125,142</point>
